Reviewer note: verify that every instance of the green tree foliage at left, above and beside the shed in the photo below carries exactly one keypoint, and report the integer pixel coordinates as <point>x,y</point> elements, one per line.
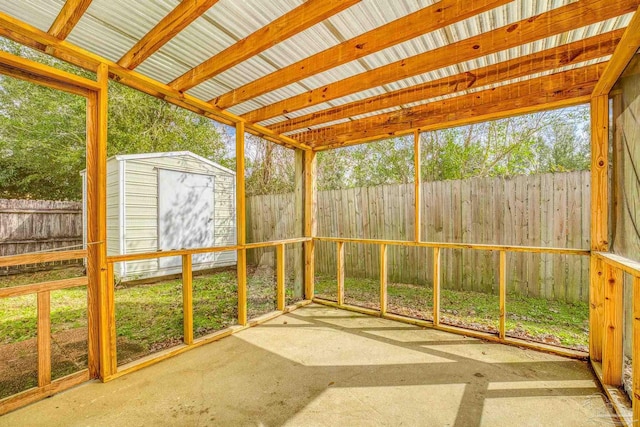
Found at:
<point>43,132</point>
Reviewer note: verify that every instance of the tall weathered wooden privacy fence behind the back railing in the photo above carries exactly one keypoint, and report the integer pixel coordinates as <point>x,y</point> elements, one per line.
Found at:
<point>546,210</point>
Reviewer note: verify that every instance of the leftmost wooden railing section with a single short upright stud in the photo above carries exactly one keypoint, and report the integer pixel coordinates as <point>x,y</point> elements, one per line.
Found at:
<point>46,386</point>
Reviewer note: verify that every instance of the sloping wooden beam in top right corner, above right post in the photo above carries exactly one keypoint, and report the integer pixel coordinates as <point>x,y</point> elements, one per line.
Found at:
<point>627,47</point>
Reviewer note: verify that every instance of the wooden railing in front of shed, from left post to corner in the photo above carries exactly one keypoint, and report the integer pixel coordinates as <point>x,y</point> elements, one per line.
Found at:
<point>108,348</point>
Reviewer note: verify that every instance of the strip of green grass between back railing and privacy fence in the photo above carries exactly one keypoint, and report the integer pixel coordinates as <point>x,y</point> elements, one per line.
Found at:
<point>537,319</point>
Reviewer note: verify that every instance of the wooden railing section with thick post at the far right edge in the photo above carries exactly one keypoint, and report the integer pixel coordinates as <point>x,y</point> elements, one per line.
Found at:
<point>607,345</point>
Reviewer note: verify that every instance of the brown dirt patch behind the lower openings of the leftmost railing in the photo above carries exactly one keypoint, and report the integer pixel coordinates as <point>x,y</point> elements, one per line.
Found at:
<point>19,361</point>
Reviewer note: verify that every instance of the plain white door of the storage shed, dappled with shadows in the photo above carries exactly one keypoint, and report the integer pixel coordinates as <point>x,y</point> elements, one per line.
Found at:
<point>185,214</point>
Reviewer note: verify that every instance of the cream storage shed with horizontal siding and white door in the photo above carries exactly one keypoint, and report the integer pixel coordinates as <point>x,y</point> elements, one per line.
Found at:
<point>164,201</point>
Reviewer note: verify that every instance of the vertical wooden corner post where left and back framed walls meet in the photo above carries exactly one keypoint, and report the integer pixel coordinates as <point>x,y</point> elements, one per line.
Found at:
<point>309,221</point>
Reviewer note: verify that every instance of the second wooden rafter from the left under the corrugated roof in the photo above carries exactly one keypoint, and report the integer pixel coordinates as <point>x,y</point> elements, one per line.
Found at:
<point>177,20</point>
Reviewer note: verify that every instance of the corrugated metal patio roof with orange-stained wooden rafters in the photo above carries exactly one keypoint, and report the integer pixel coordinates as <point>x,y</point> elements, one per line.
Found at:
<point>322,73</point>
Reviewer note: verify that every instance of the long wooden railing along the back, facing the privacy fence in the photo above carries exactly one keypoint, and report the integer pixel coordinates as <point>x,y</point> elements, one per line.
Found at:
<point>437,247</point>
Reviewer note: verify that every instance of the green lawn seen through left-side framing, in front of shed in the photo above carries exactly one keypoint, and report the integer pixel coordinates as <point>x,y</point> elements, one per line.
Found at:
<point>148,319</point>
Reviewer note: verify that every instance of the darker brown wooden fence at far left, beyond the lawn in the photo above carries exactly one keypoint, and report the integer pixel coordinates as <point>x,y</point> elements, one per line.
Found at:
<point>28,226</point>
